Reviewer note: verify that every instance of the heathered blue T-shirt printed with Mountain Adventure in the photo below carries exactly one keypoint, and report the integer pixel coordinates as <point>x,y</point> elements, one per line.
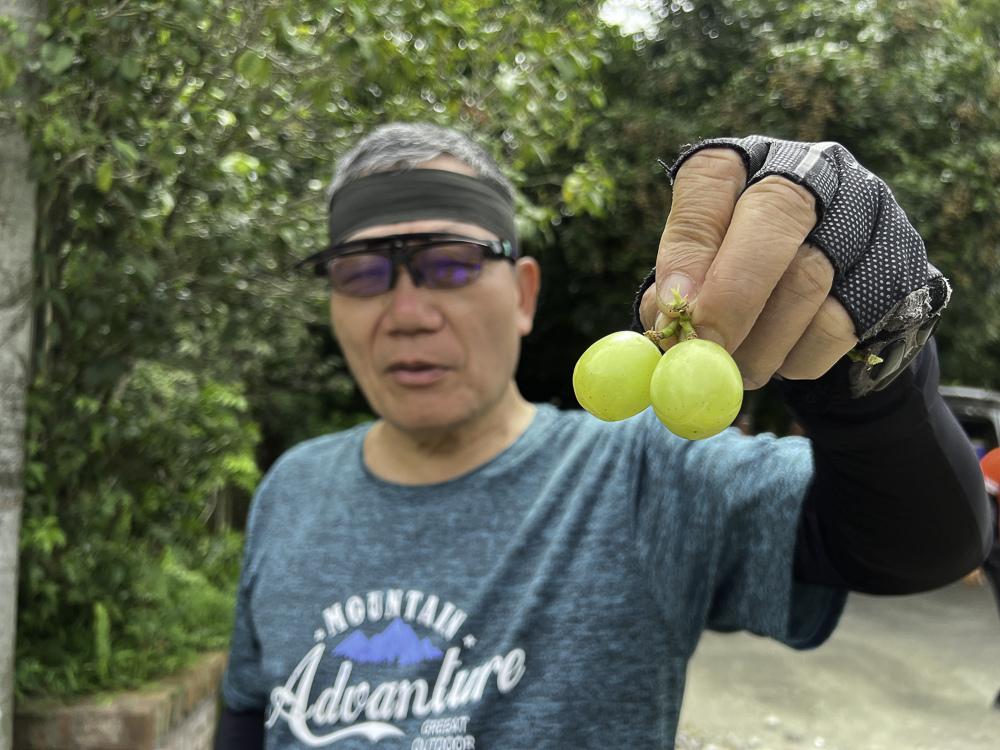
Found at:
<point>550,598</point>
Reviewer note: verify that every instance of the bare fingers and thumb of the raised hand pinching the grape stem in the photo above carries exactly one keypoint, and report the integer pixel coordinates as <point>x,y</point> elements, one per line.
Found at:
<point>753,283</point>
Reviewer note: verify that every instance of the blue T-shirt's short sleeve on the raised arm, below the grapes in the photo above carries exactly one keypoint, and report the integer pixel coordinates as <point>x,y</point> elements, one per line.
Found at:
<point>716,525</point>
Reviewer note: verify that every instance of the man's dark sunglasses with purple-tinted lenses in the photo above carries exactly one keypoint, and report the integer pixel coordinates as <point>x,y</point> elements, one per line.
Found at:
<point>366,268</point>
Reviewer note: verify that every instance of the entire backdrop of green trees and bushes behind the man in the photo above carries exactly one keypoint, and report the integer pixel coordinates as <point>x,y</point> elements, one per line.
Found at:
<point>181,151</point>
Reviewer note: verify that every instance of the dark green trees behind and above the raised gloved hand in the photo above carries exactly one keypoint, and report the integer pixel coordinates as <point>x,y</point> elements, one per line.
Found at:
<point>911,88</point>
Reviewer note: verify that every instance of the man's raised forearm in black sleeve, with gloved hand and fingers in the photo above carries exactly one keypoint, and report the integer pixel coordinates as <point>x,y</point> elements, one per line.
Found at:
<point>789,254</point>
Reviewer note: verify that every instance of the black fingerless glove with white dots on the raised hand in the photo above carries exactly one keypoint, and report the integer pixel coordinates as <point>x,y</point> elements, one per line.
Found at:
<point>882,277</point>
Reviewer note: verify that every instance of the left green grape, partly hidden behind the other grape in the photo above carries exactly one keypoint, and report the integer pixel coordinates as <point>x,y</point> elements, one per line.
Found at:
<point>611,378</point>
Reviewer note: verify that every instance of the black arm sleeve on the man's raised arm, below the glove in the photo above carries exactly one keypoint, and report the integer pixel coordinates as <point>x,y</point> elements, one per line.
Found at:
<point>898,503</point>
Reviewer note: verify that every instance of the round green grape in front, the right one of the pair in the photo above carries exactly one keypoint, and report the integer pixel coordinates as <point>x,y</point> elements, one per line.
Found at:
<point>696,389</point>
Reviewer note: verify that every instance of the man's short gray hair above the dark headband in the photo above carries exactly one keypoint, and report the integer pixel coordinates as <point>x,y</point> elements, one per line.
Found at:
<point>399,146</point>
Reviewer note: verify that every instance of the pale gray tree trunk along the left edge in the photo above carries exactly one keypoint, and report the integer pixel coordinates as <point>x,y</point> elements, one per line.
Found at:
<point>17,236</point>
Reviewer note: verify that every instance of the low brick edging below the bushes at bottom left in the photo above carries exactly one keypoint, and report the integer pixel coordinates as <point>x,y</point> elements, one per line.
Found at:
<point>137,720</point>
